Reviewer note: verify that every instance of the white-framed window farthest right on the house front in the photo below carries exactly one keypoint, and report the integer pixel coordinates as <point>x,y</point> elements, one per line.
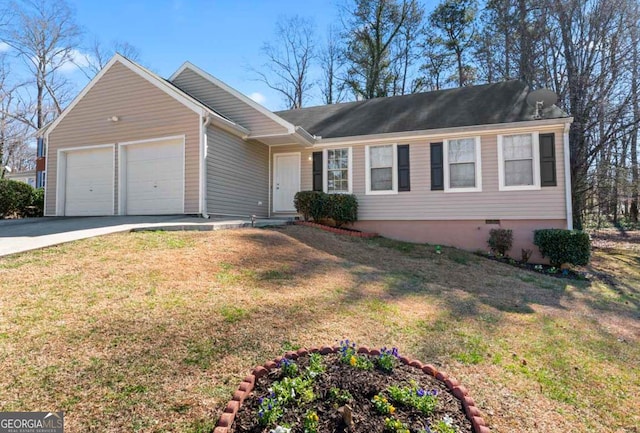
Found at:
<point>518,159</point>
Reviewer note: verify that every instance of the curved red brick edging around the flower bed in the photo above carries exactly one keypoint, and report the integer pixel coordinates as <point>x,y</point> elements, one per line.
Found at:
<point>247,385</point>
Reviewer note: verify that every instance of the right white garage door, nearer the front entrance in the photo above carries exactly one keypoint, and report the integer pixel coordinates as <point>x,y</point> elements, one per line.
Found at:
<point>153,177</point>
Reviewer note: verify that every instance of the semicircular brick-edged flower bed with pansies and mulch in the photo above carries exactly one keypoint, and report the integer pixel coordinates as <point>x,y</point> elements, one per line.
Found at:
<point>349,388</point>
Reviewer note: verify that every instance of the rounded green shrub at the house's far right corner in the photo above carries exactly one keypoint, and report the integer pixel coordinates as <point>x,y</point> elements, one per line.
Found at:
<point>563,246</point>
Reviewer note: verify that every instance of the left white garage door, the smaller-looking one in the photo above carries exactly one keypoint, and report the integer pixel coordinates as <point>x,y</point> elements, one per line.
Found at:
<point>89,182</point>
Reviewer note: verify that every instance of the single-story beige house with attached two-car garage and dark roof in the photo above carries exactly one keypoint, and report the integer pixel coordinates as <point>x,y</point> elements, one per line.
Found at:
<point>440,167</point>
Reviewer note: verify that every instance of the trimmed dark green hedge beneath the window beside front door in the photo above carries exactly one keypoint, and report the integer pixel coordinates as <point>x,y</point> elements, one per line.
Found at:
<point>316,205</point>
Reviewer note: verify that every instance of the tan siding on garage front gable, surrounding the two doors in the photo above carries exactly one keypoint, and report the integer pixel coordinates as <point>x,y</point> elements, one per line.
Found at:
<point>145,112</point>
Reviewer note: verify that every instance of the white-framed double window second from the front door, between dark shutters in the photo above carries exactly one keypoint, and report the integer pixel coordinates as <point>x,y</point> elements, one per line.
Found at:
<point>381,169</point>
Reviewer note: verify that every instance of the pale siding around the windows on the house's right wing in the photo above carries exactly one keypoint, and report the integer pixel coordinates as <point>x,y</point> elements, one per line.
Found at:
<point>423,204</point>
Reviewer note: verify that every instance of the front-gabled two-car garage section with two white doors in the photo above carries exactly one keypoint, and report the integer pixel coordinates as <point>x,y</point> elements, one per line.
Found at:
<point>145,148</point>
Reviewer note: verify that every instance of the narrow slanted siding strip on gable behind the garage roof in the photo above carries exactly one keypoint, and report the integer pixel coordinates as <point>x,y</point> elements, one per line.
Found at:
<point>227,104</point>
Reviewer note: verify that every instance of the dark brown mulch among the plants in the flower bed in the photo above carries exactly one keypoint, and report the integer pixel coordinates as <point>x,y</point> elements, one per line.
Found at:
<point>362,385</point>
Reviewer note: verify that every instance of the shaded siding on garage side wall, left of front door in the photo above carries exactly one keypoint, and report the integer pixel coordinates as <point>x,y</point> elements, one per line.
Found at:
<point>237,175</point>
